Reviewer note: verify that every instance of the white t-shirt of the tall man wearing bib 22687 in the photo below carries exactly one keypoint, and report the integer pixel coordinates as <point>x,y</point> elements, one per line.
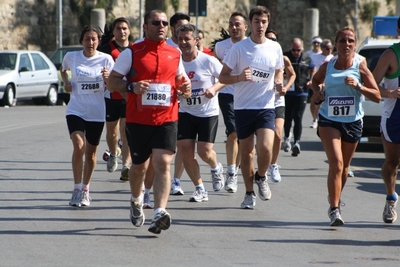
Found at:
<point>263,59</point>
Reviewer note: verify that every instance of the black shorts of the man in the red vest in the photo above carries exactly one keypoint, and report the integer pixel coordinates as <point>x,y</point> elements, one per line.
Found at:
<point>143,138</point>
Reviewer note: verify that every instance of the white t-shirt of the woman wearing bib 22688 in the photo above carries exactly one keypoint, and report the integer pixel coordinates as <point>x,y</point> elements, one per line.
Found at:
<point>87,95</point>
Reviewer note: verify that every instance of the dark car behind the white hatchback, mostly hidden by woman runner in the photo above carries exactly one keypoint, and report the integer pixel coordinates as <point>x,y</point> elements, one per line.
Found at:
<point>57,58</point>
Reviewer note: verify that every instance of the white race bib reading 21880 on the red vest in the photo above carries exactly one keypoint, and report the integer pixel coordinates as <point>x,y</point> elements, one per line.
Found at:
<point>158,94</point>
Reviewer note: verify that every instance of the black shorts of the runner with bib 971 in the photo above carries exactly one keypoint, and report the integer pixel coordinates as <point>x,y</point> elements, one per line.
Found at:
<point>190,127</point>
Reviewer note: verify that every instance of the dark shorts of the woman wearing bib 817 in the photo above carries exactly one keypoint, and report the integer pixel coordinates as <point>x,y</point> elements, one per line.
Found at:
<point>351,131</point>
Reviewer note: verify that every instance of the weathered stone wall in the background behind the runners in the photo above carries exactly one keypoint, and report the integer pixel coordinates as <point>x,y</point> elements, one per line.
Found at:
<point>32,24</point>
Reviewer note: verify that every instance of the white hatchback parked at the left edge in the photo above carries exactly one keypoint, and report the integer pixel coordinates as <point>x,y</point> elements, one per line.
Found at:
<point>27,74</point>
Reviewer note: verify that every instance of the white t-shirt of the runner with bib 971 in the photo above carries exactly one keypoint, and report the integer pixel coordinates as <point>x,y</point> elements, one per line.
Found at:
<point>203,72</point>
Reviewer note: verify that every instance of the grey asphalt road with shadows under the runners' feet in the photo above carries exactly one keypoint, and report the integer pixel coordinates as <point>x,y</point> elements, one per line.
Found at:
<point>38,228</point>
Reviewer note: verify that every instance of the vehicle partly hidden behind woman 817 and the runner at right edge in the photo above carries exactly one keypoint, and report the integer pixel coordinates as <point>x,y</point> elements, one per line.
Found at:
<point>372,49</point>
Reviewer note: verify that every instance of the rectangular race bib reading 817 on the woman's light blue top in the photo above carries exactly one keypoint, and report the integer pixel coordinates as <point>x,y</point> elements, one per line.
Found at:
<point>339,106</point>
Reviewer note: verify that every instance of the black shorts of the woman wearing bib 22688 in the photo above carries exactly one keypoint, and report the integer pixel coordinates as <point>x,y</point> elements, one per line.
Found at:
<point>91,129</point>
